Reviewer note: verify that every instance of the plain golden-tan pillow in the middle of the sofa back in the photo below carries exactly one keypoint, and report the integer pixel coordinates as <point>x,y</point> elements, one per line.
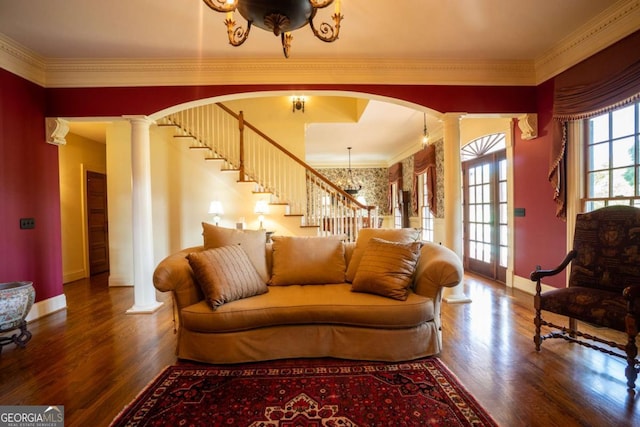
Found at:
<point>307,260</point>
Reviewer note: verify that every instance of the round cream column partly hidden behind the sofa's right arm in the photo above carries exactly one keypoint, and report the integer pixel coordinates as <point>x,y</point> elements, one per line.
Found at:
<point>453,198</point>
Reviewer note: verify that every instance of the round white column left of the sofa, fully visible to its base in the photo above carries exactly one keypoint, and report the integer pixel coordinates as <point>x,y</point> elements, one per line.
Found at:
<point>144,292</point>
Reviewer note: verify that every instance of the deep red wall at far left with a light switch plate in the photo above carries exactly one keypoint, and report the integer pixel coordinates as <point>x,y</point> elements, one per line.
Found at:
<point>28,188</point>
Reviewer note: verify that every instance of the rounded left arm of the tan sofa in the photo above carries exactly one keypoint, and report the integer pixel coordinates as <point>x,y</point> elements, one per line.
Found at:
<point>174,274</point>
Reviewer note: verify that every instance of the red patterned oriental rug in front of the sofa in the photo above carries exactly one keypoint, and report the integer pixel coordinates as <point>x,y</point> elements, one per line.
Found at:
<point>306,393</point>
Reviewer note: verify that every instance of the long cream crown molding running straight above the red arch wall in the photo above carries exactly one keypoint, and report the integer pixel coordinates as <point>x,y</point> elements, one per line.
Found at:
<point>172,72</point>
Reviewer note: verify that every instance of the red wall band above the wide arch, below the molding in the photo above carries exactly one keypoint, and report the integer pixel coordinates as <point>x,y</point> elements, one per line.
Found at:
<point>80,102</point>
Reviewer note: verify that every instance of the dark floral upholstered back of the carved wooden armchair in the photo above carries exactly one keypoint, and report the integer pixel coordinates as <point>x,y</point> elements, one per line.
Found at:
<point>607,242</point>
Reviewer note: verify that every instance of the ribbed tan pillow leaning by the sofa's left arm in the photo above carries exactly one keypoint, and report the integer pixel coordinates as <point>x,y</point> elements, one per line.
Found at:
<point>225,274</point>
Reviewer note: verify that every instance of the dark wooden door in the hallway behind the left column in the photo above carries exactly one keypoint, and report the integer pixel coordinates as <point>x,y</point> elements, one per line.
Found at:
<point>98,225</point>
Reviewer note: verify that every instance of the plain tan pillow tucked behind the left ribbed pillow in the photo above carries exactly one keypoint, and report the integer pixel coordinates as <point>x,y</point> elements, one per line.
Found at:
<point>252,241</point>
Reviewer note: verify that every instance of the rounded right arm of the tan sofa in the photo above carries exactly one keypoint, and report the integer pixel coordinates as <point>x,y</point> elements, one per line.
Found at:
<point>437,267</point>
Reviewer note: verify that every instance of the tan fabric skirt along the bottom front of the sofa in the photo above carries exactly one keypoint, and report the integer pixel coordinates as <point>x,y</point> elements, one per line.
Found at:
<point>313,340</point>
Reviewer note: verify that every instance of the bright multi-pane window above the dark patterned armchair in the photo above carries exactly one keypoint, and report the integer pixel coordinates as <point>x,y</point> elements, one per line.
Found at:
<point>612,164</point>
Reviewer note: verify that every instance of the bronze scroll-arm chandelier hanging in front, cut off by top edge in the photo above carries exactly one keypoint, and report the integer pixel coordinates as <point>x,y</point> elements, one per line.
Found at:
<point>278,16</point>
